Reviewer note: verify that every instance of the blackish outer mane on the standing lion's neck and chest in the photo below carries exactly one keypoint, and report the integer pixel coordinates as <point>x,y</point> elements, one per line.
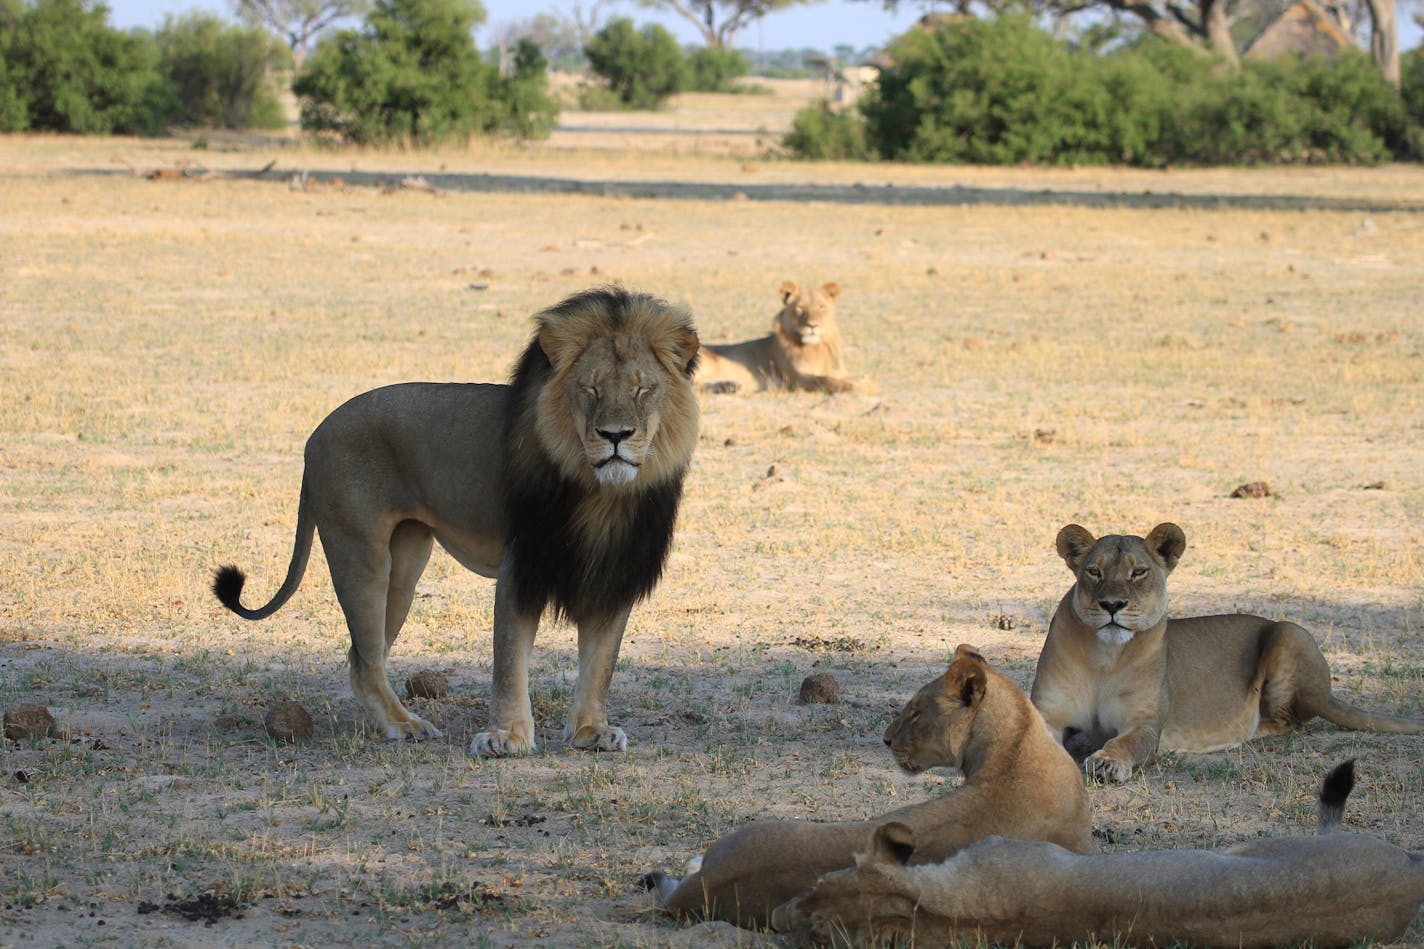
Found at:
<point>583,578</point>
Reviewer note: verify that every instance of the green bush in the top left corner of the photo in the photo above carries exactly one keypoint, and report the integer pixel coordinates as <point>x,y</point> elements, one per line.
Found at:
<point>65,69</point>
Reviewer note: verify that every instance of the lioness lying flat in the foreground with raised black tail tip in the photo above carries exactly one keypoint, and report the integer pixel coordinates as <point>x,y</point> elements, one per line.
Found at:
<point>1336,890</point>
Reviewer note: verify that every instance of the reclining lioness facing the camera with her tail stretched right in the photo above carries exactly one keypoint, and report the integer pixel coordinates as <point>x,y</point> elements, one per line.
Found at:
<point>1117,678</point>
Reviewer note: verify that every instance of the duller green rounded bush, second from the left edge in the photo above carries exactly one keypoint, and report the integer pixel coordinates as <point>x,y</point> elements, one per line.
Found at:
<point>223,75</point>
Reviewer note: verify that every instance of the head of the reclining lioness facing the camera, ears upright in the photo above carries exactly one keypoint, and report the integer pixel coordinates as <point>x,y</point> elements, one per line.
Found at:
<point>1121,579</point>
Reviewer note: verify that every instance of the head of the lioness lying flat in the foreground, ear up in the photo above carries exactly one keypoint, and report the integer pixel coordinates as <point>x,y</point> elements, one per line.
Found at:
<point>859,904</point>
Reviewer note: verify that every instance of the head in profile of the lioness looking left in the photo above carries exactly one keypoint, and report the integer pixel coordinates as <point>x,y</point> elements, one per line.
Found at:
<point>933,727</point>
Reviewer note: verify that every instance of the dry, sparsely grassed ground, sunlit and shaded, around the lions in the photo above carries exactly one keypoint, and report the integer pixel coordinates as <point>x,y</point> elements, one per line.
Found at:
<point>167,346</point>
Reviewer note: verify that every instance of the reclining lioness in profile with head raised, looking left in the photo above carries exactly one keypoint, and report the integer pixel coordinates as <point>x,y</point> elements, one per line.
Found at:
<point>1017,783</point>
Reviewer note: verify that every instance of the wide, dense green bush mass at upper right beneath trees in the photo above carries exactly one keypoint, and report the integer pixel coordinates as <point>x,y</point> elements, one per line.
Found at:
<point>1003,92</point>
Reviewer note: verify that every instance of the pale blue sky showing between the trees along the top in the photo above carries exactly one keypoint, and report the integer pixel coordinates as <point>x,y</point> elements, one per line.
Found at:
<point>821,26</point>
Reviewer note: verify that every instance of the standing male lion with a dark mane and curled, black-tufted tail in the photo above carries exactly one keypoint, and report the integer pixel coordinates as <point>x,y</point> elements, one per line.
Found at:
<point>563,485</point>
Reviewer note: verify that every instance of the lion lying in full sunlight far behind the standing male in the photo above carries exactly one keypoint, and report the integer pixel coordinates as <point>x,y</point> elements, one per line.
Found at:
<point>801,356</point>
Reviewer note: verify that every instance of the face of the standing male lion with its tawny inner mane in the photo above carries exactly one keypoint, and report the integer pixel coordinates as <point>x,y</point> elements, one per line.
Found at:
<point>619,408</point>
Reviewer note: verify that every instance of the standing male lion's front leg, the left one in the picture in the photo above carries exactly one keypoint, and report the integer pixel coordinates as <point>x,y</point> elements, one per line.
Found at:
<point>512,716</point>
